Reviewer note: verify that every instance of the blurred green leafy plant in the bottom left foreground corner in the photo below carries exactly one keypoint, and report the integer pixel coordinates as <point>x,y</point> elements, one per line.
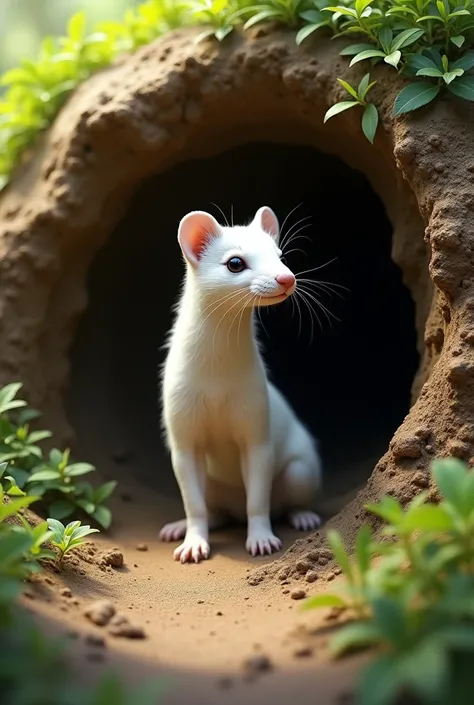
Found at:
<point>25,650</point>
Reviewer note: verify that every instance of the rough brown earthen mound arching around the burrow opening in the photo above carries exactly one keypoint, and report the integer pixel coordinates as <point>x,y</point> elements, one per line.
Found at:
<point>173,102</point>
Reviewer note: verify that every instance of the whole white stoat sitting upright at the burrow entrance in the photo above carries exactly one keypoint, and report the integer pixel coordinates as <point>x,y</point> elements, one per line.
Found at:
<point>237,447</point>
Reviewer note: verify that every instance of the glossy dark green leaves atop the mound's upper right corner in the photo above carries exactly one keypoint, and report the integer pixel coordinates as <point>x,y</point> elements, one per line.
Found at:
<point>418,38</point>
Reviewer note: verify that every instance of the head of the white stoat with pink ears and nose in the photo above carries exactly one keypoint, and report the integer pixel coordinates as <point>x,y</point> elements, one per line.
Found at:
<point>244,259</point>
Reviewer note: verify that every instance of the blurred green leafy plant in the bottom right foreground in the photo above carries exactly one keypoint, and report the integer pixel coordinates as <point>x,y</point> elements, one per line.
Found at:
<point>416,601</point>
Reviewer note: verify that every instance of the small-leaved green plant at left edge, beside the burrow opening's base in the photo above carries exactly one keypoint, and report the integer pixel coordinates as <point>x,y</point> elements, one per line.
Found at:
<point>54,480</point>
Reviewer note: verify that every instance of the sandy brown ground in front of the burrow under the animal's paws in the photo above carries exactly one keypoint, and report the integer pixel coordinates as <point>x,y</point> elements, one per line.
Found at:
<point>202,628</point>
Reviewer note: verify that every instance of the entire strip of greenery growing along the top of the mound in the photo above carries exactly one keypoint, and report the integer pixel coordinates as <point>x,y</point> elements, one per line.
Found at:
<point>426,41</point>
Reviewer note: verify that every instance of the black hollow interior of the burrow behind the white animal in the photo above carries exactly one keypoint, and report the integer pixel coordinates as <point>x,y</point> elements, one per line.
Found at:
<point>349,376</point>
